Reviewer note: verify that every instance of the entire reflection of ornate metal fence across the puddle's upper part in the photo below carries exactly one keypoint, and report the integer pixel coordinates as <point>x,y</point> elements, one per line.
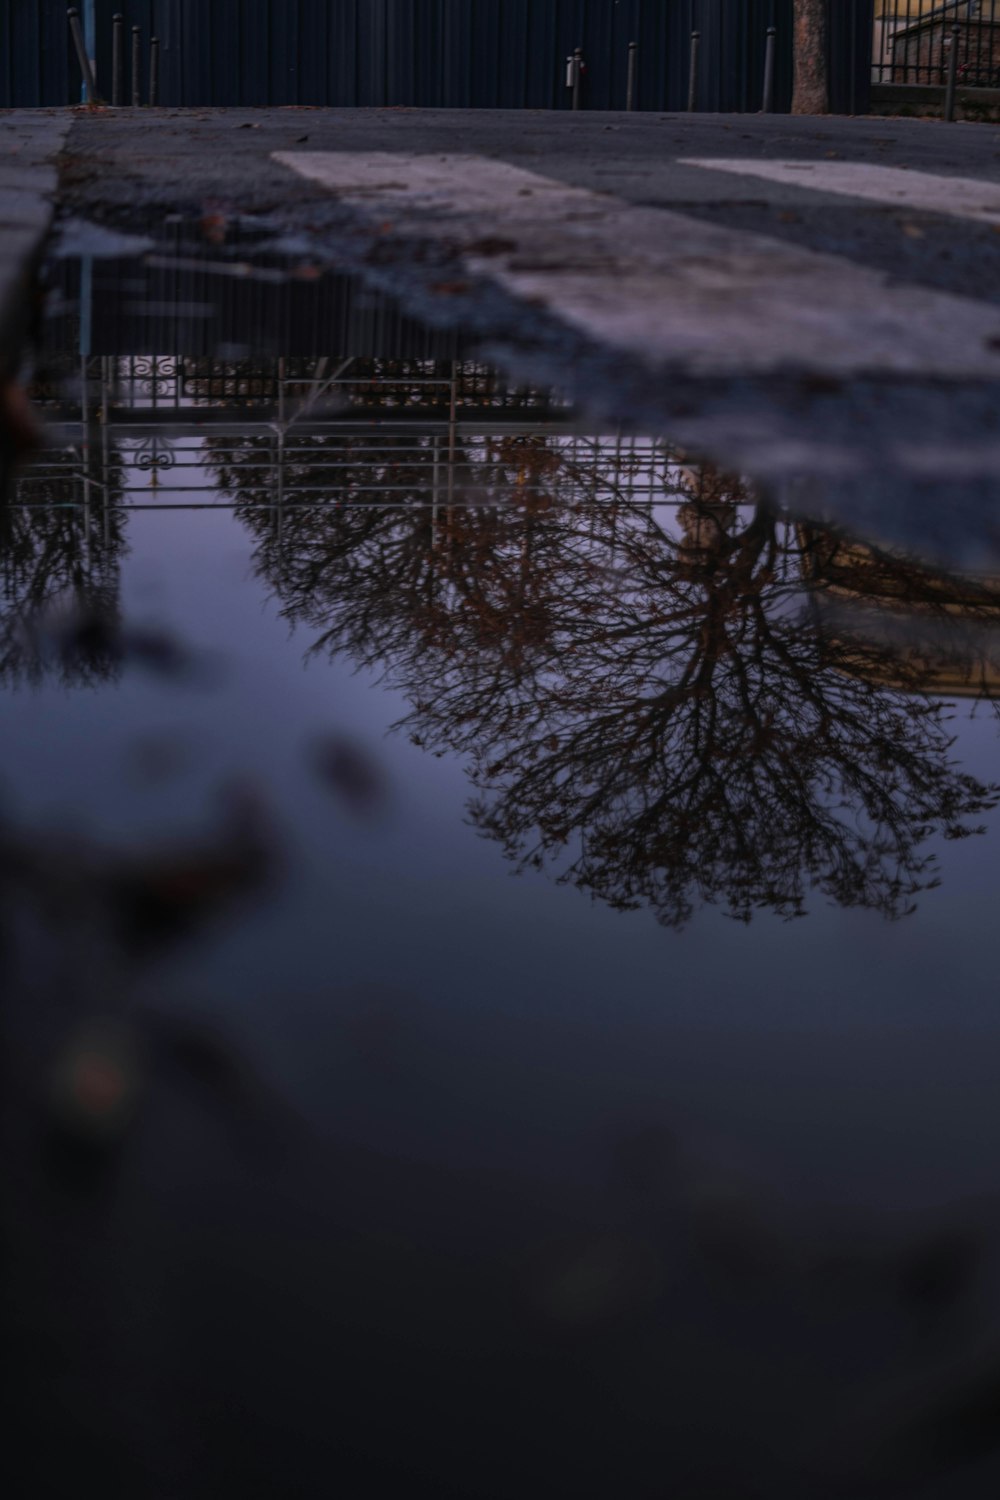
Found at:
<point>154,433</point>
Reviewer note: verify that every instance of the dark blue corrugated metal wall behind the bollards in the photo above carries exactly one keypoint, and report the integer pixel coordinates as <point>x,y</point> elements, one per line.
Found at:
<point>436,53</point>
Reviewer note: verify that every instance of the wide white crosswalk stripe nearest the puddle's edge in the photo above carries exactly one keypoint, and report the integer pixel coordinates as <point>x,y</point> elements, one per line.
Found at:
<point>690,296</point>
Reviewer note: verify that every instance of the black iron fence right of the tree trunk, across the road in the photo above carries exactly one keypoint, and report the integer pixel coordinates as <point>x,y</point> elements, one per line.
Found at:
<point>914,41</point>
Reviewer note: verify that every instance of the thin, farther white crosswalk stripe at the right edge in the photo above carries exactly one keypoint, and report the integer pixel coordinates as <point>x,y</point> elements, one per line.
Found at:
<point>894,187</point>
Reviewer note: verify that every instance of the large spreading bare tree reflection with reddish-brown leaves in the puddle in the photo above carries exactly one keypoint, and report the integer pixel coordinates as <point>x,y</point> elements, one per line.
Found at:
<point>647,706</point>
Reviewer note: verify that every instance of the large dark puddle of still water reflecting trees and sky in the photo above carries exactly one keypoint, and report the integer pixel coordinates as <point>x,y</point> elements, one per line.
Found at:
<point>500,964</point>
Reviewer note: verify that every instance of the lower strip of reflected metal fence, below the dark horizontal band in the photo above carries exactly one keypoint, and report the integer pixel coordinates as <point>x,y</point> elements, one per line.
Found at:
<point>238,469</point>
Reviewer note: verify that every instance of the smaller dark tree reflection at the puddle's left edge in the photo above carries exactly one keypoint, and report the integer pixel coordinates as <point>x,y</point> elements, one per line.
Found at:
<point>59,569</point>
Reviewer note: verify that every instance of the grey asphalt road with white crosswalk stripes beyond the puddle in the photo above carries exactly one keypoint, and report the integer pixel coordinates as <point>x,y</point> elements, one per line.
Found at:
<point>815,302</point>
